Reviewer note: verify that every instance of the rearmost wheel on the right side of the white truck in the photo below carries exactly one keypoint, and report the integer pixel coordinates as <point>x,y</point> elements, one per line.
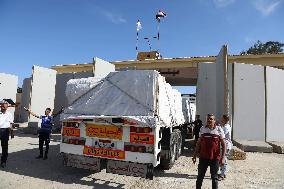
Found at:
<point>167,163</point>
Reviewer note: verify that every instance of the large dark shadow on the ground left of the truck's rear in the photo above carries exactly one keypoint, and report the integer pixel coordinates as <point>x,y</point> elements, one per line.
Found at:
<point>24,163</point>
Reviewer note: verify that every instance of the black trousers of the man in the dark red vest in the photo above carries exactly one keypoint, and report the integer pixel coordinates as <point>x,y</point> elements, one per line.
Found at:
<point>202,167</point>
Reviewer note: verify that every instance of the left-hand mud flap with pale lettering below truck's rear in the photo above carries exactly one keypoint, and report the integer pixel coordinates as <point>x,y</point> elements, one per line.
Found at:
<point>83,162</point>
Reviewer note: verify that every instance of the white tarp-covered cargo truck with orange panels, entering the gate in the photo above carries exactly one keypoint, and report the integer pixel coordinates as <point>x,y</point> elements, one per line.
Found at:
<point>128,122</point>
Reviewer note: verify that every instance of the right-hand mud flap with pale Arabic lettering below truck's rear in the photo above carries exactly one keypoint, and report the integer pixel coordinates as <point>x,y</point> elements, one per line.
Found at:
<point>130,169</point>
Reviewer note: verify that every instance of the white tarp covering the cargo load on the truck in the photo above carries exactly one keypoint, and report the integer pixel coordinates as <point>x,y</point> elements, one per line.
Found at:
<point>137,94</point>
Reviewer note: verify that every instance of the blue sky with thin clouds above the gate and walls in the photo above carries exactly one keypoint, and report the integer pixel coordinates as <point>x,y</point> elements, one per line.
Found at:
<point>52,32</point>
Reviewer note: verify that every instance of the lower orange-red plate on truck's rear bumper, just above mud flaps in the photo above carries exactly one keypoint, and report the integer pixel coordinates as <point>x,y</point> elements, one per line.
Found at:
<point>101,152</point>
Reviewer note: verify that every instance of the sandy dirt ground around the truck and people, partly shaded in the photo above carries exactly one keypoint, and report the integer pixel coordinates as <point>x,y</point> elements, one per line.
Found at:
<point>24,171</point>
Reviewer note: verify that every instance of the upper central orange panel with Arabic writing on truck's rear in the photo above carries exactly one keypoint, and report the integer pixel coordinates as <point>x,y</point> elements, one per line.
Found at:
<point>104,131</point>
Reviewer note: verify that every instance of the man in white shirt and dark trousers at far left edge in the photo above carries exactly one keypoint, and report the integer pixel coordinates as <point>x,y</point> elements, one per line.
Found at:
<point>6,121</point>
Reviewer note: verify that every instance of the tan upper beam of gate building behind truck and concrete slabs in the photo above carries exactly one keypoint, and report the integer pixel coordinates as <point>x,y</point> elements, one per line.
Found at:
<point>178,71</point>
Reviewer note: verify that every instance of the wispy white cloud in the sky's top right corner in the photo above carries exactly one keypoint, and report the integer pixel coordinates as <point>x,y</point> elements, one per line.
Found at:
<point>266,7</point>
